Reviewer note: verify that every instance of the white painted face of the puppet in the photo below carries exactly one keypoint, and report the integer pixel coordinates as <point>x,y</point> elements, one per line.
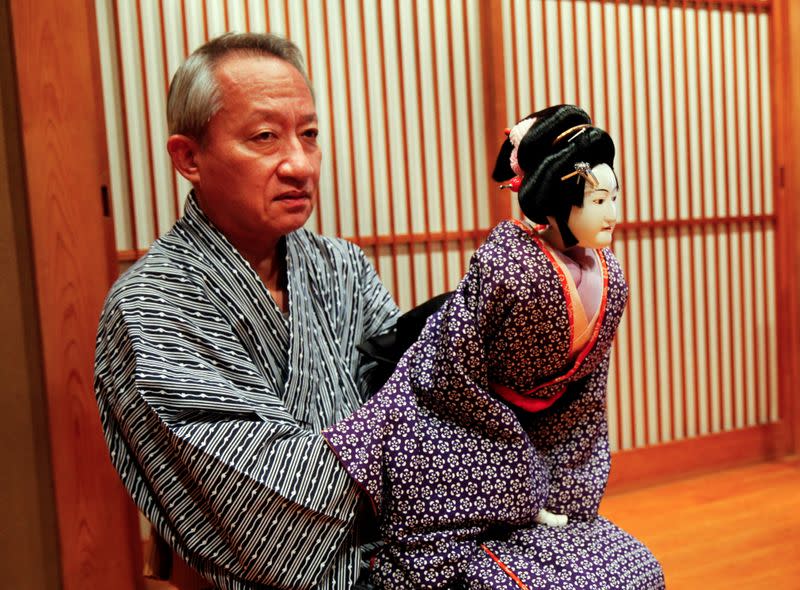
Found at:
<point>593,224</point>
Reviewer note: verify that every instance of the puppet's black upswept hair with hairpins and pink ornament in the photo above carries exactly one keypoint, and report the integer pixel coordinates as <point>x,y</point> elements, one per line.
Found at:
<point>552,153</point>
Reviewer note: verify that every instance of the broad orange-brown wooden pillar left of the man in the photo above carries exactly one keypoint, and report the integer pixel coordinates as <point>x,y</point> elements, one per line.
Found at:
<point>63,162</point>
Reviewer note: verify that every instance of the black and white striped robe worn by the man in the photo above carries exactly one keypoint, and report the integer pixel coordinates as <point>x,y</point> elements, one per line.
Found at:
<point>213,400</point>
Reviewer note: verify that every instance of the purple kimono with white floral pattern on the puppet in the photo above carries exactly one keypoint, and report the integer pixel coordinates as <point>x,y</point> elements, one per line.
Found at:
<point>457,475</point>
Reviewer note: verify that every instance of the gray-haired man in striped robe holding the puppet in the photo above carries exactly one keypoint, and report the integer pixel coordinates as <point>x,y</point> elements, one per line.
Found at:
<point>230,345</point>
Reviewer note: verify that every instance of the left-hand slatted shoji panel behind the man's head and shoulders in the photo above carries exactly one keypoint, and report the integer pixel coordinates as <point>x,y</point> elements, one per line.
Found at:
<point>398,91</point>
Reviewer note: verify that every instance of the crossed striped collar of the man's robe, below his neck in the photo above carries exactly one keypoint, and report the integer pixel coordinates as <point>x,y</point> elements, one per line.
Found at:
<point>296,353</point>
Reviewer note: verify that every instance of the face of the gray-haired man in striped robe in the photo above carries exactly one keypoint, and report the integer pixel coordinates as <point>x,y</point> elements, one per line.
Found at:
<point>258,166</point>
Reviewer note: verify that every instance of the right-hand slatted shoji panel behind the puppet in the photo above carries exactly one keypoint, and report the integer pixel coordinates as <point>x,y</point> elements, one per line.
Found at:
<point>684,89</point>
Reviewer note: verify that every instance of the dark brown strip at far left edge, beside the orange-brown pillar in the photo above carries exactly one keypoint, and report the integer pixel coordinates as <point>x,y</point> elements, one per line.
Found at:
<point>28,534</point>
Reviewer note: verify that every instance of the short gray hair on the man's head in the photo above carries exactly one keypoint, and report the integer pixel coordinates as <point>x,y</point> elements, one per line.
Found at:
<point>194,94</point>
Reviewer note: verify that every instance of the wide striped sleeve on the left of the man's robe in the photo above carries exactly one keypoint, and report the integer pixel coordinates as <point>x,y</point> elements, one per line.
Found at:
<point>226,474</point>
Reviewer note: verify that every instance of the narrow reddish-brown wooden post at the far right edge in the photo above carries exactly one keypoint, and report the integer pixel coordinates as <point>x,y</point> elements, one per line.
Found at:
<point>785,50</point>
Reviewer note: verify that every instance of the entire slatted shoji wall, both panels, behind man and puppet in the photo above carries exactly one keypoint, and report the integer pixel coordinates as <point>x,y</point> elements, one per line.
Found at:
<point>682,86</point>
